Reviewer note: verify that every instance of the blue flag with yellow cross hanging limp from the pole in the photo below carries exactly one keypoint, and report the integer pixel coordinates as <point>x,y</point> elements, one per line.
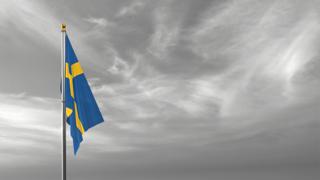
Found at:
<point>82,110</point>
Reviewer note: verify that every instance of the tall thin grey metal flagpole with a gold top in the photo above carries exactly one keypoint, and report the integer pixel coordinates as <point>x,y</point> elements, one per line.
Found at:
<point>63,97</point>
